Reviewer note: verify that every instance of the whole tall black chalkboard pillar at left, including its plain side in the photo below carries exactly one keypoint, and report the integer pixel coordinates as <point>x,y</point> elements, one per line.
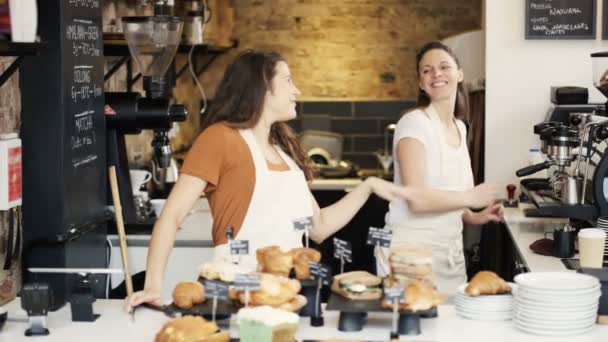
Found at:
<point>64,137</point>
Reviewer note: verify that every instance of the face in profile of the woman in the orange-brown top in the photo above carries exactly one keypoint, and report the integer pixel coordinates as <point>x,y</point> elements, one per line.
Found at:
<point>280,99</point>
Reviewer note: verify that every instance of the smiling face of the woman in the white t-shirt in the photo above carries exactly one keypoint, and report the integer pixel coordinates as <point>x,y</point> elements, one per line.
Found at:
<point>439,75</point>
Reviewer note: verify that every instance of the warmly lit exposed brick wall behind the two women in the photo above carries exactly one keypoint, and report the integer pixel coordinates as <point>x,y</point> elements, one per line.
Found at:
<point>339,49</point>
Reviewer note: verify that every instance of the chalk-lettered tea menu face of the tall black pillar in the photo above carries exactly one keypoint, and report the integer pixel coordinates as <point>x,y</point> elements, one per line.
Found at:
<point>83,70</point>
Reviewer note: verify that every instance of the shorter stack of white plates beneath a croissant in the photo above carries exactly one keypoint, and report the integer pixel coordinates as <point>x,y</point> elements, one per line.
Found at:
<point>485,307</point>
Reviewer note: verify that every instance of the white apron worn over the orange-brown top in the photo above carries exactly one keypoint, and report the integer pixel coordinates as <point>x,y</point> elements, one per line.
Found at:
<point>279,198</point>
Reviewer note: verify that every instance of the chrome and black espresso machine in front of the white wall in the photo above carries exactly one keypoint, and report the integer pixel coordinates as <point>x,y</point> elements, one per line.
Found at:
<point>576,155</point>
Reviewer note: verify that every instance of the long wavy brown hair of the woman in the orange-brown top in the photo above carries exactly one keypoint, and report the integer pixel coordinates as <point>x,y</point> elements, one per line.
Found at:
<point>239,101</point>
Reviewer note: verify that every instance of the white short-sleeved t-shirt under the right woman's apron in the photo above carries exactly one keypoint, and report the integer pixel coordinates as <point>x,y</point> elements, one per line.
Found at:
<point>417,124</point>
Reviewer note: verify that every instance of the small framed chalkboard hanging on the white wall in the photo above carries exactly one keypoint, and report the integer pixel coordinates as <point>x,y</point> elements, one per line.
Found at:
<point>560,19</point>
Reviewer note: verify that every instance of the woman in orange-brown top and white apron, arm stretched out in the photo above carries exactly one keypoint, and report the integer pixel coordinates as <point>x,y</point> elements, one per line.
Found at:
<point>253,171</point>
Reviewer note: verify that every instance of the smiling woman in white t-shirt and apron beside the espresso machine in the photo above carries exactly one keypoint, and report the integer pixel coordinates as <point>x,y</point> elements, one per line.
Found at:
<point>431,159</point>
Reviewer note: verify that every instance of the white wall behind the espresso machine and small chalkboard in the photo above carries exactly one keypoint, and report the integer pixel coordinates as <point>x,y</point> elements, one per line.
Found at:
<point>519,74</point>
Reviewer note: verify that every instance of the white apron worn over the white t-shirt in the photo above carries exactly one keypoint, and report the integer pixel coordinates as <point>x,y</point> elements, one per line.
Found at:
<point>442,231</point>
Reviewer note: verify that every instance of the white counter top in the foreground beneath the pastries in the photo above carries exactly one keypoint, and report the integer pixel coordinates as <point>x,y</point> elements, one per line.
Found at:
<point>448,326</point>
